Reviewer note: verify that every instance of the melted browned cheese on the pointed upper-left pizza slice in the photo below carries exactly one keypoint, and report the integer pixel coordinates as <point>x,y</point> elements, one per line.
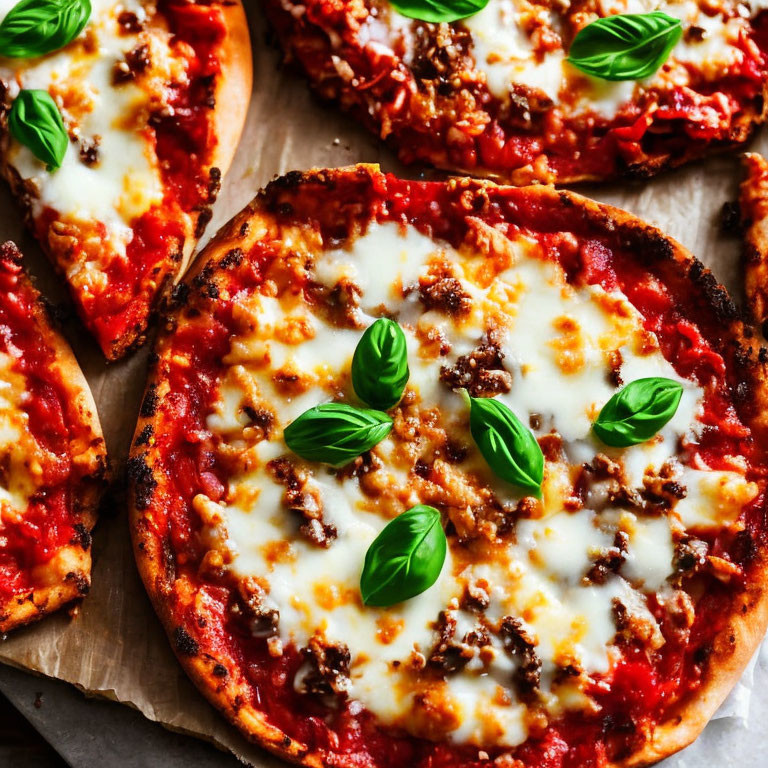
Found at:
<point>126,181</point>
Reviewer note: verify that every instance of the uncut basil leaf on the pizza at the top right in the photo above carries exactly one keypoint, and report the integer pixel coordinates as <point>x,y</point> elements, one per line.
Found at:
<point>628,46</point>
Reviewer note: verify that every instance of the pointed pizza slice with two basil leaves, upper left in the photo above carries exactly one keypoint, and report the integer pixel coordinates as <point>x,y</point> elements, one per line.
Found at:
<point>118,121</point>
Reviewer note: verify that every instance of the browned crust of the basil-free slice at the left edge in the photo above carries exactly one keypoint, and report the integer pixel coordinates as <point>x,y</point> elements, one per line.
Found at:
<point>69,571</point>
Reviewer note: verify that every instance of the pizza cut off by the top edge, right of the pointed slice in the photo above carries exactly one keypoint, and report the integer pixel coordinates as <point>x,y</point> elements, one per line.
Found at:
<point>492,87</point>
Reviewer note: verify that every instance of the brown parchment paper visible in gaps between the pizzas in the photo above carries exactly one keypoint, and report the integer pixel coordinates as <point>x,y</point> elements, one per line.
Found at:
<point>114,645</point>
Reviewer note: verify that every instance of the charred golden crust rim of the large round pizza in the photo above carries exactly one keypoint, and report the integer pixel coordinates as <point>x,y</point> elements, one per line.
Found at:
<point>735,644</point>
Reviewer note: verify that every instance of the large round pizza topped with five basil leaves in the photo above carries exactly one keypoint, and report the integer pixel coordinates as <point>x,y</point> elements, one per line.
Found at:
<point>453,474</point>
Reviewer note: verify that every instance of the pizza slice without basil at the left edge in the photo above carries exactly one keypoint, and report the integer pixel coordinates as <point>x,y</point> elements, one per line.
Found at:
<point>52,457</point>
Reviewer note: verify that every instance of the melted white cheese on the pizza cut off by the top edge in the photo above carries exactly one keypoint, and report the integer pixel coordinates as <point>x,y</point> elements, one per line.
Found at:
<point>504,48</point>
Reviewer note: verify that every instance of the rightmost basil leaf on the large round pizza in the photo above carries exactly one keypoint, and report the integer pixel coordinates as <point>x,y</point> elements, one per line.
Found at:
<point>638,411</point>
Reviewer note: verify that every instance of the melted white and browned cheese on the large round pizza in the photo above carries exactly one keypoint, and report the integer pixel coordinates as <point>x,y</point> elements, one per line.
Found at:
<point>557,342</point>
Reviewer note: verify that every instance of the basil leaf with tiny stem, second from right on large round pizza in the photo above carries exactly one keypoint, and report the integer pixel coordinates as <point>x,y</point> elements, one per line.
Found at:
<point>509,447</point>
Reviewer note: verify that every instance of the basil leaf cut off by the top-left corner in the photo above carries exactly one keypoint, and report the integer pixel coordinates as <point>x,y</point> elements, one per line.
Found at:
<point>36,27</point>
